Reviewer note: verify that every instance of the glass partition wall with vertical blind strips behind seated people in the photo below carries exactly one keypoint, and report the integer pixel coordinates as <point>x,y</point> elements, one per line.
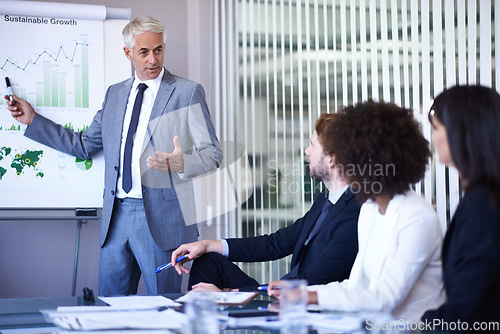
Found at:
<point>280,64</point>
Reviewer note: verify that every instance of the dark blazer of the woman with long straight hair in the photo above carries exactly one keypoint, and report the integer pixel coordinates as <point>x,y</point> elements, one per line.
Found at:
<point>471,262</point>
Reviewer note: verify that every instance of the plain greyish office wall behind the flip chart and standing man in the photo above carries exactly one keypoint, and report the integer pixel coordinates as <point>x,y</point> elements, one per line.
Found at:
<point>36,257</point>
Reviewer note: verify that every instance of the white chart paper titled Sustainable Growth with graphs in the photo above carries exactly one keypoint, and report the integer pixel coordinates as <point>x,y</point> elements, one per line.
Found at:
<point>57,65</point>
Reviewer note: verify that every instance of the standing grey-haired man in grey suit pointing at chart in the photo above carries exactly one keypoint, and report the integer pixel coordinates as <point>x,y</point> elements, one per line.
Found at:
<point>156,134</point>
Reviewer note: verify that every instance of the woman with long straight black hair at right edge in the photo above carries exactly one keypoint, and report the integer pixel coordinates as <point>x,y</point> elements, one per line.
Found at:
<point>466,122</point>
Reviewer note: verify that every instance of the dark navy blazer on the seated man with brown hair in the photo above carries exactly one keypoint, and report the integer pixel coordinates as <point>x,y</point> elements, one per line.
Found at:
<point>327,257</point>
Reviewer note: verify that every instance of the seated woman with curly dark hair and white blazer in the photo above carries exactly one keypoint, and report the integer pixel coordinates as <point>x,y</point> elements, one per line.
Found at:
<point>382,152</point>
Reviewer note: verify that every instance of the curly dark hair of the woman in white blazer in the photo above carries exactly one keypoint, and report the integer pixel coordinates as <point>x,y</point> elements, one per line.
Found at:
<point>380,148</point>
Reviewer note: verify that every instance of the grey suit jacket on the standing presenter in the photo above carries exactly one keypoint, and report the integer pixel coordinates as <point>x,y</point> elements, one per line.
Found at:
<point>179,110</point>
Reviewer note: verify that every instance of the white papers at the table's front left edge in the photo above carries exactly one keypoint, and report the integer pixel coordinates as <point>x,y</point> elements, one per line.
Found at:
<point>119,319</point>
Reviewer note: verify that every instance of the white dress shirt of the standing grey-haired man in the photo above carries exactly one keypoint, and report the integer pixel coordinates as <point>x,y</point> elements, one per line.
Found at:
<point>147,107</point>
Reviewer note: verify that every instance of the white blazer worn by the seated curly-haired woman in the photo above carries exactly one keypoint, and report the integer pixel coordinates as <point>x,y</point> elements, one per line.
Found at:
<point>406,279</point>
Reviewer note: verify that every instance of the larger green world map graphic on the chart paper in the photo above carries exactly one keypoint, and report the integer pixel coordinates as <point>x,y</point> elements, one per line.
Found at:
<point>20,161</point>
